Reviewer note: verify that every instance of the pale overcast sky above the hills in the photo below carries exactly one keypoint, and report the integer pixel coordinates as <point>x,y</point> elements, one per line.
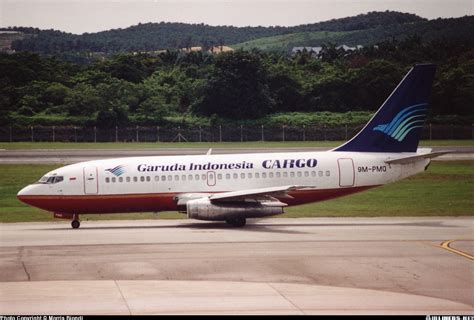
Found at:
<point>79,16</point>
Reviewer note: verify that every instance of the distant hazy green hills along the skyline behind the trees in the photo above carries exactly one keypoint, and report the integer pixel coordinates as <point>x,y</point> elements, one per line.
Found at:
<point>165,35</point>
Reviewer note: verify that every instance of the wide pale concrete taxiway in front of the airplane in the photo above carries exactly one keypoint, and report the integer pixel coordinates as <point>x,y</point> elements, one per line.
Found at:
<point>279,266</point>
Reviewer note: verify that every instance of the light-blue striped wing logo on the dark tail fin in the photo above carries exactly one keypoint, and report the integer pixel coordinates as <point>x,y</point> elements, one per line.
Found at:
<point>404,122</point>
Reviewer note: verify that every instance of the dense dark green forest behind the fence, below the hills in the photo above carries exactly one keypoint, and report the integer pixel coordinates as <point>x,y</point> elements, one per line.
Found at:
<point>198,88</point>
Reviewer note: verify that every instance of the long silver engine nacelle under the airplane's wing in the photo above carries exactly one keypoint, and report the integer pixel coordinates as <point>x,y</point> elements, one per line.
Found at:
<point>203,209</point>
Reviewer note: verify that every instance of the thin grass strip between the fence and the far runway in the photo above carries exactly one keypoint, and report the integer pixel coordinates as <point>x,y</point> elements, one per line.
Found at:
<point>215,145</point>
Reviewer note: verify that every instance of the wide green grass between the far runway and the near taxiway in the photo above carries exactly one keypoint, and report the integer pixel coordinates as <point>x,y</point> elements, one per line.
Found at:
<point>446,189</point>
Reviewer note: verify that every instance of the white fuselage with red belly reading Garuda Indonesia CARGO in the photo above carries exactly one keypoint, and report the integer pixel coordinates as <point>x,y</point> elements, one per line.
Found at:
<point>153,183</point>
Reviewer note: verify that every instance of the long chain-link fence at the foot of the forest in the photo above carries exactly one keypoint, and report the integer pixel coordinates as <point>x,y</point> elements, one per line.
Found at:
<point>209,134</point>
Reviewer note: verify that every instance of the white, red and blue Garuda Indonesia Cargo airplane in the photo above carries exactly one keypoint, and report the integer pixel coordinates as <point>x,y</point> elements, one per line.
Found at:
<point>236,187</point>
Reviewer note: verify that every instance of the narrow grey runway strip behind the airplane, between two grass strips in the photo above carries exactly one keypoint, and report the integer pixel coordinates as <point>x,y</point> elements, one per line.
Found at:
<point>66,156</point>
